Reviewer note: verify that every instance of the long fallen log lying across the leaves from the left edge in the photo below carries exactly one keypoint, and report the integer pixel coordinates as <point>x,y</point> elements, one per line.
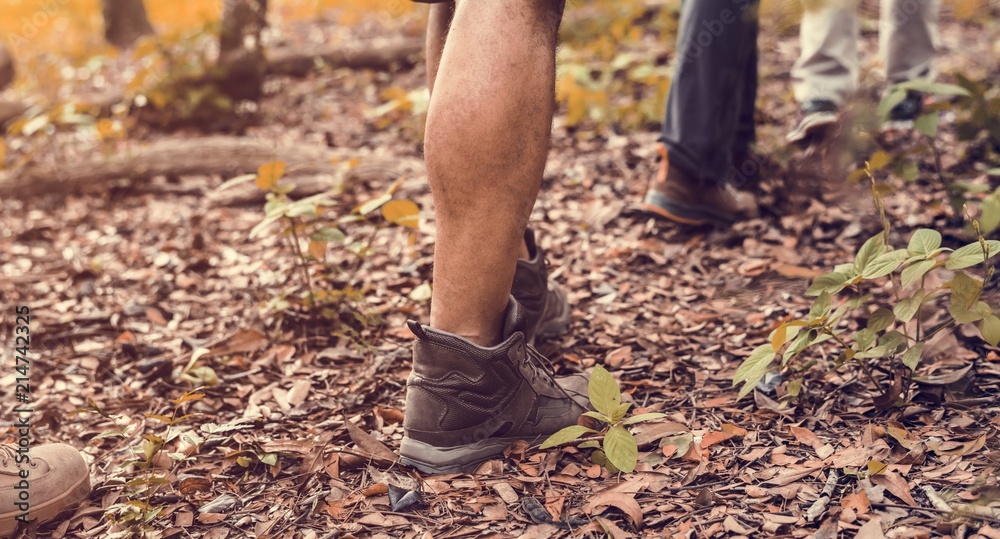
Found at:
<point>225,156</point>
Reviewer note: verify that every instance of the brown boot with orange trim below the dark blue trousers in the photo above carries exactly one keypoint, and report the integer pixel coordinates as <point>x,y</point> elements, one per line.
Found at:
<point>677,196</point>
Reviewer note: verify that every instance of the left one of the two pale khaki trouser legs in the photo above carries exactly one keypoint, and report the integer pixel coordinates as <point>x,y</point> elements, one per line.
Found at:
<point>827,68</point>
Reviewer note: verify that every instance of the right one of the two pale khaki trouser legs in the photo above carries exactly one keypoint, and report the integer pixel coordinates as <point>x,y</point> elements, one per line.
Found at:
<point>908,37</point>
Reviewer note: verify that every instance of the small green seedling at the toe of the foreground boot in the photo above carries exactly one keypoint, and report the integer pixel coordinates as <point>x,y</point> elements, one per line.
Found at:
<point>619,450</point>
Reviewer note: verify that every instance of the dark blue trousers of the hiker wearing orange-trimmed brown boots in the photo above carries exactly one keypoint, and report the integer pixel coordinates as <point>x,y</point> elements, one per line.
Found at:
<point>709,97</point>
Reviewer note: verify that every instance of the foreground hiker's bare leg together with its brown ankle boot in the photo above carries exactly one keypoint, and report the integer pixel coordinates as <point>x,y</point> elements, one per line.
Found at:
<point>475,385</point>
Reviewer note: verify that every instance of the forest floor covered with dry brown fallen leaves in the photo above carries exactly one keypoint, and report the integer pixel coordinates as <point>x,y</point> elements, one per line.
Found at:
<point>129,285</point>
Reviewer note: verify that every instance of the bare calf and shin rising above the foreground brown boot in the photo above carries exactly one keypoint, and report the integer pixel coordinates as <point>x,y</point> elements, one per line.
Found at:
<point>487,139</point>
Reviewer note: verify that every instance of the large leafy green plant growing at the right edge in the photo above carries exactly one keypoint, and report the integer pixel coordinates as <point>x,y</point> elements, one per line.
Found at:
<point>895,334</point>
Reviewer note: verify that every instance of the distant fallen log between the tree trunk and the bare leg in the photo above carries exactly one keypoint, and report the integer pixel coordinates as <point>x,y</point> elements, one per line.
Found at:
<point>385,57</point>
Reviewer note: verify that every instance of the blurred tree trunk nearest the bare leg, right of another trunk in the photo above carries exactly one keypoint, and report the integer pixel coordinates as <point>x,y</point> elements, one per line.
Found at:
<point>242,64</point>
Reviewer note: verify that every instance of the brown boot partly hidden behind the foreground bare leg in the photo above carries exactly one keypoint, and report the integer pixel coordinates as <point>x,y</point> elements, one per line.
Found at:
<point>546,309</point>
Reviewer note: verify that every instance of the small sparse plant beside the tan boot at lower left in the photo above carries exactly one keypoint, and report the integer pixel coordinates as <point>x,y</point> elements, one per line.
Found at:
<point>148,469</point>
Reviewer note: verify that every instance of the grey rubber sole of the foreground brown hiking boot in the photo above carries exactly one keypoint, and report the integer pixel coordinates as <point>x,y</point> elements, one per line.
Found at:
<point>443,460</point>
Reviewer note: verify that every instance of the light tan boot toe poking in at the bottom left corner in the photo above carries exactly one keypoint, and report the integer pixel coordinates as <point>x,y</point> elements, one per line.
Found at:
<point>53,479</point>
